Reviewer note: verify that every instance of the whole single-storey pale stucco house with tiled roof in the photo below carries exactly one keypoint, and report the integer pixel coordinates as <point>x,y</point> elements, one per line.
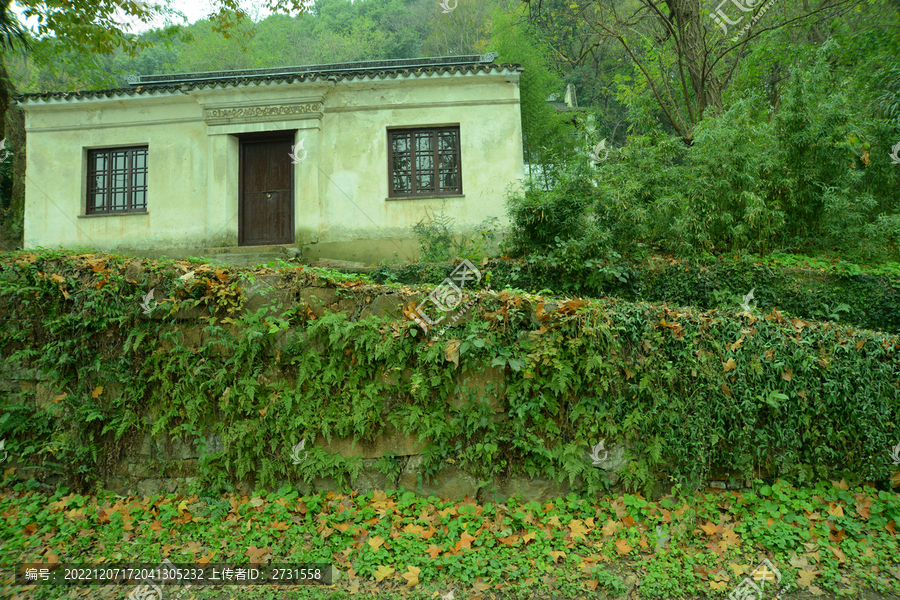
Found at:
<point>350,156</point>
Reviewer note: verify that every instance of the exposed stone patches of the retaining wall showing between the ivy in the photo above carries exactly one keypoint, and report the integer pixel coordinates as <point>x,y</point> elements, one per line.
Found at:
<point>161,464</point>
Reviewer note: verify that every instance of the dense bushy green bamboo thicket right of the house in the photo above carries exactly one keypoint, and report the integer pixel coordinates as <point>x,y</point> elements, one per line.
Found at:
<point>802,178</point>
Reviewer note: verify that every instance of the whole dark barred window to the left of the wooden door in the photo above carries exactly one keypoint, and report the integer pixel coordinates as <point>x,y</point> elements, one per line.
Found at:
<point>117,180</point>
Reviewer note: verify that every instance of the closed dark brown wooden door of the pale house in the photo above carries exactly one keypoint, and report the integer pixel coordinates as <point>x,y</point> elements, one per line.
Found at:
<point>266,191</point>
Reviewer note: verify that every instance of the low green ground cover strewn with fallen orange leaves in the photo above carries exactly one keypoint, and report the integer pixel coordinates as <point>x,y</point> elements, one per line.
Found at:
<point>822,539</point>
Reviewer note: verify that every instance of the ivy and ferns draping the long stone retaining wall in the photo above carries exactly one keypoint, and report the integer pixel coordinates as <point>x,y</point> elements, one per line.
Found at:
<point>685,392</point>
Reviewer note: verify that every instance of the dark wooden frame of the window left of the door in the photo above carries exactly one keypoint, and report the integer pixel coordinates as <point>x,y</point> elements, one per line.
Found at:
<point>107,190</point>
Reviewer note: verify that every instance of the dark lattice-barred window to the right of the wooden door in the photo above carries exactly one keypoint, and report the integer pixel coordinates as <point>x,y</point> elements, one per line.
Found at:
<point>425,162</point>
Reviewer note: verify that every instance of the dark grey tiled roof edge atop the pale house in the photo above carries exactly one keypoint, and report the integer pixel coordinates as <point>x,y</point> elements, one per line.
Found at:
<point>142,85</point>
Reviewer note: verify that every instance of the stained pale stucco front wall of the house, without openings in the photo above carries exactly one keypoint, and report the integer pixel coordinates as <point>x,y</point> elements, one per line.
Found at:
<point>340,187</point>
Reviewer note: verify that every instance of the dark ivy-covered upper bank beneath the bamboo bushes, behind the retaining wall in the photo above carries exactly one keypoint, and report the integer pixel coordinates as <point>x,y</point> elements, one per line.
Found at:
<point>836,290</point>
